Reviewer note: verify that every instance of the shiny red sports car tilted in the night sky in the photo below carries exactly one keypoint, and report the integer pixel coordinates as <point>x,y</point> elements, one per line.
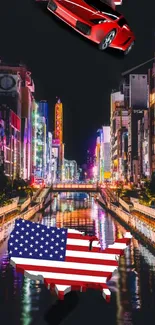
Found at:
<point>95,20</point>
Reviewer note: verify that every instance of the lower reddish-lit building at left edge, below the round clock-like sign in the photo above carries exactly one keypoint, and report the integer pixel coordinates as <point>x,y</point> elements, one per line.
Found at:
<point>10,142</point>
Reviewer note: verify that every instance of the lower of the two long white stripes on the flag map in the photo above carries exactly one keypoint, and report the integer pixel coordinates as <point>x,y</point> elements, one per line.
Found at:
<point>68,277</point>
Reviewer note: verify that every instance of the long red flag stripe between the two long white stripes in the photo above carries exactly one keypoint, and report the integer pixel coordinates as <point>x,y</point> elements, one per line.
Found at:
<point>20,267</point>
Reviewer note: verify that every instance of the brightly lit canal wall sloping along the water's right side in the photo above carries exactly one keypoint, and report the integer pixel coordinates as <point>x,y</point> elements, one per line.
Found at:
<point>133,223</point>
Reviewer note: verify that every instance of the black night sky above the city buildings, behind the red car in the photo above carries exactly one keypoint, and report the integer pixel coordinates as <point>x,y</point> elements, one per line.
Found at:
<point>64,64</point>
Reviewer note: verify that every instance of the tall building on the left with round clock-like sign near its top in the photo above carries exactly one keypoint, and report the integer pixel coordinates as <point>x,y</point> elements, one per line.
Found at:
<point>16,89</point>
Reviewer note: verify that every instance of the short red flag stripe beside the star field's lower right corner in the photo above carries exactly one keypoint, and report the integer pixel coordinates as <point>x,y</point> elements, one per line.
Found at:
<point>91,261</point>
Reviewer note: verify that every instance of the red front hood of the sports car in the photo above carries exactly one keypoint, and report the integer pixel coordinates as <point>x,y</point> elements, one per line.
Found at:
<point>86,12</point>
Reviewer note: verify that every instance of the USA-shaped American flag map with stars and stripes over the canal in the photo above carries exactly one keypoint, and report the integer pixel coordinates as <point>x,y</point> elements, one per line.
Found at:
<point>64,259</point>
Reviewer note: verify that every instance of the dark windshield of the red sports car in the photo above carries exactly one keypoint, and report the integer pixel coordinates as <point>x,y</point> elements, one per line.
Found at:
<point>101,6</point>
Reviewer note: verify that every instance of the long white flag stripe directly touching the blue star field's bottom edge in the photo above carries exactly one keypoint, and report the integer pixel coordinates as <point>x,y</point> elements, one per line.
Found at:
<point>65,265</point>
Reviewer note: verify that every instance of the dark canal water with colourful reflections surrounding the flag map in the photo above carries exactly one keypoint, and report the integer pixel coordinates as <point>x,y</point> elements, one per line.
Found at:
<point>26,302</point>
